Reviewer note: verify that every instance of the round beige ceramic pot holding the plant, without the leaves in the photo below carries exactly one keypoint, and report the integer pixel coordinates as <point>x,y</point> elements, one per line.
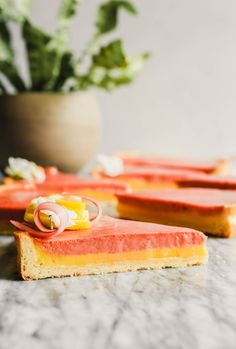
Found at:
<point>50,129</point>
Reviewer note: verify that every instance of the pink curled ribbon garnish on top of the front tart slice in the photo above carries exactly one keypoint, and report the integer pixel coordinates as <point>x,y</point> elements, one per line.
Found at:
<point>63,219</point>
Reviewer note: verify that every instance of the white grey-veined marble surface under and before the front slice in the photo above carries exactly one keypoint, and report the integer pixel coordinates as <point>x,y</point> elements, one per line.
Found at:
<point>185,308</point>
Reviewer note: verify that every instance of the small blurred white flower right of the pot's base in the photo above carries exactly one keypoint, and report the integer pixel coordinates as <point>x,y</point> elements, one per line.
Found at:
<point>111,165</point>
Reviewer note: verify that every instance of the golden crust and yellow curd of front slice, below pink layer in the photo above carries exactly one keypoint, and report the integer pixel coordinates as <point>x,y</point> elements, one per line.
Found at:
<point>36,263</point>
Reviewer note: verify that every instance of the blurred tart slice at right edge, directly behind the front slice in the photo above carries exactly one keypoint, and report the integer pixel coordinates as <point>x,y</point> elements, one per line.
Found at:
<point>212,211</point>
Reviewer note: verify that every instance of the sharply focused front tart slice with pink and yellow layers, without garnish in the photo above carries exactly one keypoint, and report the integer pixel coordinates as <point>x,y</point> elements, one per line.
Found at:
<point>109,245</point>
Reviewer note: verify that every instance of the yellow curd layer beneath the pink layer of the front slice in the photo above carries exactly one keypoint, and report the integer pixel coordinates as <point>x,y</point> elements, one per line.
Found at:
<point>47,259</point>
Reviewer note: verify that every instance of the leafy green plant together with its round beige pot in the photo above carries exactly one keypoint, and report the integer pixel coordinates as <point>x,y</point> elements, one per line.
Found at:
<point>52,118</point>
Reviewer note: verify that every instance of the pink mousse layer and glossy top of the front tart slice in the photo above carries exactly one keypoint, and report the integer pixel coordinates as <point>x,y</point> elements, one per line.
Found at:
<point>110,235</point>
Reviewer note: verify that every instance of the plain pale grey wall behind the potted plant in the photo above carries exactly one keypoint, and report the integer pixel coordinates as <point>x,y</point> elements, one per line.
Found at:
<point>183,102</point>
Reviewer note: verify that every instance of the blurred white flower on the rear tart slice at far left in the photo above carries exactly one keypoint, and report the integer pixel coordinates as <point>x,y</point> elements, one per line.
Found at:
<point>23,169</point>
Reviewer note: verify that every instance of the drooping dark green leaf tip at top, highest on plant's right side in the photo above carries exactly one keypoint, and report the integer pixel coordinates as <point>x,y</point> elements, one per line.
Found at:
<point>107,15</point>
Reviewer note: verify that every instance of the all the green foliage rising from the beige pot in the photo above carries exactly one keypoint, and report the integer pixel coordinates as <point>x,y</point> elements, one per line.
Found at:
<point>52,67</point>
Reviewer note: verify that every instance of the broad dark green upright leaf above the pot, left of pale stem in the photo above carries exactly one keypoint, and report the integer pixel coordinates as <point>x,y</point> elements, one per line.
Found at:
<point>41,56</point>
